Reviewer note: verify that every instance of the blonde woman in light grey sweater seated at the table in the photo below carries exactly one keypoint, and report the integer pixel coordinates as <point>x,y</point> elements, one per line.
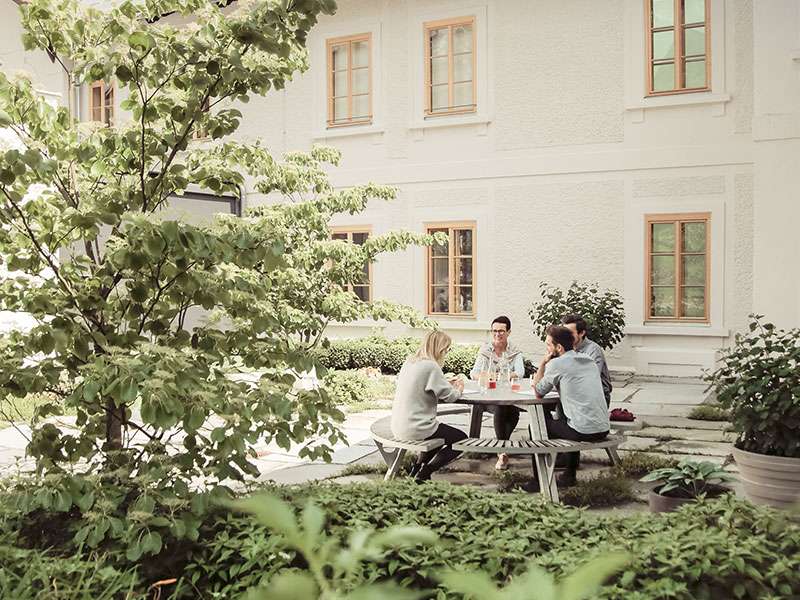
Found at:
<point>420,387</point>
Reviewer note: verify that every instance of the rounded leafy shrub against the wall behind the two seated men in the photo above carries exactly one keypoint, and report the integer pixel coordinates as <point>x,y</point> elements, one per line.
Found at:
<point>601,309</point>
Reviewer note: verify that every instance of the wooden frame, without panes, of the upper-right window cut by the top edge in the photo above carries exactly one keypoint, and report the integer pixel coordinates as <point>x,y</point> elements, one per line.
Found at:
<point>678,57</point>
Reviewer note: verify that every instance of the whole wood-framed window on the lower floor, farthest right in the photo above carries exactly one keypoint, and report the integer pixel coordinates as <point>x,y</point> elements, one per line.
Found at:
<point>678,267</point>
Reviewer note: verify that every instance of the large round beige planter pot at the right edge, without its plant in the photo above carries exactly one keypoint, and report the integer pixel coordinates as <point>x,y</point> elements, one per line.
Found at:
<point>772,480</point>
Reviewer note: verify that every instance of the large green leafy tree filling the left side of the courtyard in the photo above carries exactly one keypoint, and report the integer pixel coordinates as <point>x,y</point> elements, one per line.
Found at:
<point>85,202</point>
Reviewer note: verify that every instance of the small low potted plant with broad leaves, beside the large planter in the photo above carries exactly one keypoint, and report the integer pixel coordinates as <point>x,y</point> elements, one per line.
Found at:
<point>686,482</point>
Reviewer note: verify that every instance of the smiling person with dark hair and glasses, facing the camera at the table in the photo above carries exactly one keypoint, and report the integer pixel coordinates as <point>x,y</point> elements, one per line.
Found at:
<point>496,352</point>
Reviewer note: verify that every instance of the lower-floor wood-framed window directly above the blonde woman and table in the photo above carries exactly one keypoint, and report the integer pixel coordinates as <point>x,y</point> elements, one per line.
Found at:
<point>451,270</point>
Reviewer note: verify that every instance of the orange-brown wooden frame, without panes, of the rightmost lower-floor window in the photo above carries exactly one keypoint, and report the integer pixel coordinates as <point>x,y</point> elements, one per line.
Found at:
<point>677,219</point>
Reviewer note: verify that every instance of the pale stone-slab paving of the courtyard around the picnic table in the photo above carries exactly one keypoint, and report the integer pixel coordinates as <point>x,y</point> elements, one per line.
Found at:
<point>663,406</point>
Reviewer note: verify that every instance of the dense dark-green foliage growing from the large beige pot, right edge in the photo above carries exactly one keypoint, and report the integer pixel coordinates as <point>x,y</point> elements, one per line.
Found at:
<point>758,382</point>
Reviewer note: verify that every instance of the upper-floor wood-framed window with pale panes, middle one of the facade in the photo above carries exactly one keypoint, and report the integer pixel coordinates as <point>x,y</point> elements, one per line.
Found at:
<point>450,66</point>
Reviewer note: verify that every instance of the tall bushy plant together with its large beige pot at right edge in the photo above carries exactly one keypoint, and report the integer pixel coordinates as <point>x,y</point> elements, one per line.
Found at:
<point>758,383</point>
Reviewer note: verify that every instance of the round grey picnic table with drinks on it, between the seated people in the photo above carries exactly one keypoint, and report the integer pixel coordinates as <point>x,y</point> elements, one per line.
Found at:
<point>480,400</point>
